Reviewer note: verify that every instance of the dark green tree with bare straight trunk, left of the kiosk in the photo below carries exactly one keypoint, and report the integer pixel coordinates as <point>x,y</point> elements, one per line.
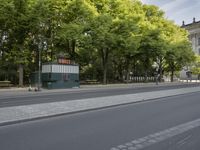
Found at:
<point>16,32</point>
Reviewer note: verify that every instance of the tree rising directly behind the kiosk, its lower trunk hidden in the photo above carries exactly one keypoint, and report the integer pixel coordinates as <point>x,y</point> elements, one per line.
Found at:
<point>73,30</point>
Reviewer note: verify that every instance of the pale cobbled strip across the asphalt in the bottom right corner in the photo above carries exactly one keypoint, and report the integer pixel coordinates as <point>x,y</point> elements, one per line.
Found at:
<point>151,139</point>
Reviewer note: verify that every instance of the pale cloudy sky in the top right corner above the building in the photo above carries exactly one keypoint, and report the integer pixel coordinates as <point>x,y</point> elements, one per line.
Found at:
<point>178,10</point>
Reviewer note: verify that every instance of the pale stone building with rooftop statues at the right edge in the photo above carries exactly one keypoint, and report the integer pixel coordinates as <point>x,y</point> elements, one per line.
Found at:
<point>194,34</point>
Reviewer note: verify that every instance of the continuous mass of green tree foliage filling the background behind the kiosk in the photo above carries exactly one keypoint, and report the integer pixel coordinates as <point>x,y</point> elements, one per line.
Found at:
<point>108,38</point>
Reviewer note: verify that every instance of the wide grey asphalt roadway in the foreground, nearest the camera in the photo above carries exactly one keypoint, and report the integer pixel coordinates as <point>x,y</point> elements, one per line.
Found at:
<point>106,128</point>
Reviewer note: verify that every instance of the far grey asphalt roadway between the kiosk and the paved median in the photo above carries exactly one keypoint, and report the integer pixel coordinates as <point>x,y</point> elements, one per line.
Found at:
<point>16,99</point>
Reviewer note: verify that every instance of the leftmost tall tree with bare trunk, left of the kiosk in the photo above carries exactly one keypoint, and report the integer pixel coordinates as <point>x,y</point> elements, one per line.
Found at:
<point>19,34</point>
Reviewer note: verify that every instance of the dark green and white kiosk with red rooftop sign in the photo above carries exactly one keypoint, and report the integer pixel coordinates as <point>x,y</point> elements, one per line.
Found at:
<point>60,75</point>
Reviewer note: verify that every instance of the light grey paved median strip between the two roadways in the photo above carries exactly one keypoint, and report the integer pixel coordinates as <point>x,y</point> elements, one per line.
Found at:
<point>9,115</point>
